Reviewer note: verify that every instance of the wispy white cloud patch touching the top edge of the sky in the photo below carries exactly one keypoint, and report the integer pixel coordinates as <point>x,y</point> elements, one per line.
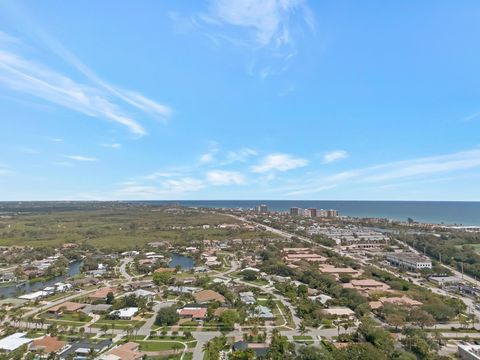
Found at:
<point>264,30</point>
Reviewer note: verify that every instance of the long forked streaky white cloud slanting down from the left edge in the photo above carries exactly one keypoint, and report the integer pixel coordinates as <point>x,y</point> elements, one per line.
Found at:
<point>95,97</point>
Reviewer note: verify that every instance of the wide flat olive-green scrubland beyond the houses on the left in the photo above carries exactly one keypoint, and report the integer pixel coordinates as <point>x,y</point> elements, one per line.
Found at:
<point>118,227</point>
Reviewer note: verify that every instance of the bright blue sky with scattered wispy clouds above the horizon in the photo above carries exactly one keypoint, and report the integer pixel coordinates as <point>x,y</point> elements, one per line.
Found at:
<point>220,99</point>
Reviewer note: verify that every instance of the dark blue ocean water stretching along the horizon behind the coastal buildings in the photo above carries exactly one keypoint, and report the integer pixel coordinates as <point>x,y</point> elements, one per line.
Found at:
<point>439,212</point>
